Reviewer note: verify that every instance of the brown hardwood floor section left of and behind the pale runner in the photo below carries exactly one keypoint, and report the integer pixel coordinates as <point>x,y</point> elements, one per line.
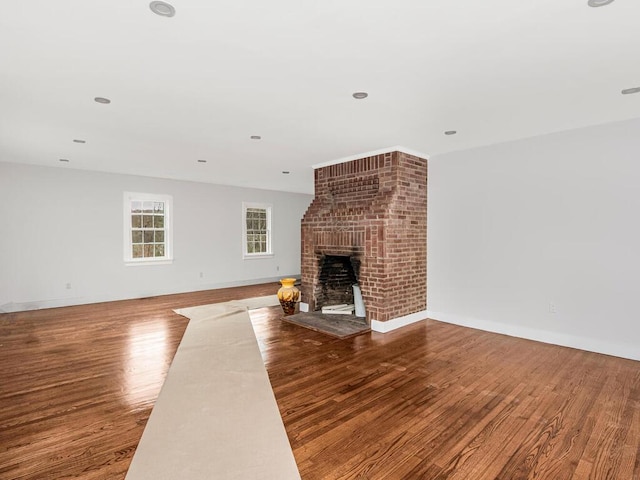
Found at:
<point>77,384</point>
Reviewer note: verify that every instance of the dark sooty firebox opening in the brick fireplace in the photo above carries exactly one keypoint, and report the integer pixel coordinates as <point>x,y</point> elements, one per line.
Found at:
<point>337,276</point>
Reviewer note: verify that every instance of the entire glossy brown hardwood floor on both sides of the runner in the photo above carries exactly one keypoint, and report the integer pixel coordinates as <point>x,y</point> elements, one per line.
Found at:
<point>430,401</point>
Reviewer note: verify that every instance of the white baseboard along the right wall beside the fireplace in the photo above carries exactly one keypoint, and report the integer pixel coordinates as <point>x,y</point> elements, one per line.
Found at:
<point>631,352</point>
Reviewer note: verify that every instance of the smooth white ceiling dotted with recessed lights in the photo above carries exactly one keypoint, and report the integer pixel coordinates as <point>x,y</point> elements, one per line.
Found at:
<point>198,85</point>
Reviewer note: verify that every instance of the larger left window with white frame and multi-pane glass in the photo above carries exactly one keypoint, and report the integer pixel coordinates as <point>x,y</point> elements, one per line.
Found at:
<point>147,228</point>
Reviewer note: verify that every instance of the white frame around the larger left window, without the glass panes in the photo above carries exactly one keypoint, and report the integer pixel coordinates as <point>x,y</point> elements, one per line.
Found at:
<point>130,197</point>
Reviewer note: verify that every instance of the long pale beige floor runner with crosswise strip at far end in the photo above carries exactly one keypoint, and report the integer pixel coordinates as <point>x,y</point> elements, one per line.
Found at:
<point>216,416</point>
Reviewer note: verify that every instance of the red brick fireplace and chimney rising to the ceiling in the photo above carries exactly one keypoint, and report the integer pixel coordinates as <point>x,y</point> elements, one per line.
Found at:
<point>370,213</point>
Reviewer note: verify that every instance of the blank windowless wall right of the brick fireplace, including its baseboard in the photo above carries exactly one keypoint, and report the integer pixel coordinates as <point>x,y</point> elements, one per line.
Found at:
<point>513,228</point>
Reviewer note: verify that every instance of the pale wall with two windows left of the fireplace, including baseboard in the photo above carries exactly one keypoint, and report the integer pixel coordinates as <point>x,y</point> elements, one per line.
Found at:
<point>63,226</point>
